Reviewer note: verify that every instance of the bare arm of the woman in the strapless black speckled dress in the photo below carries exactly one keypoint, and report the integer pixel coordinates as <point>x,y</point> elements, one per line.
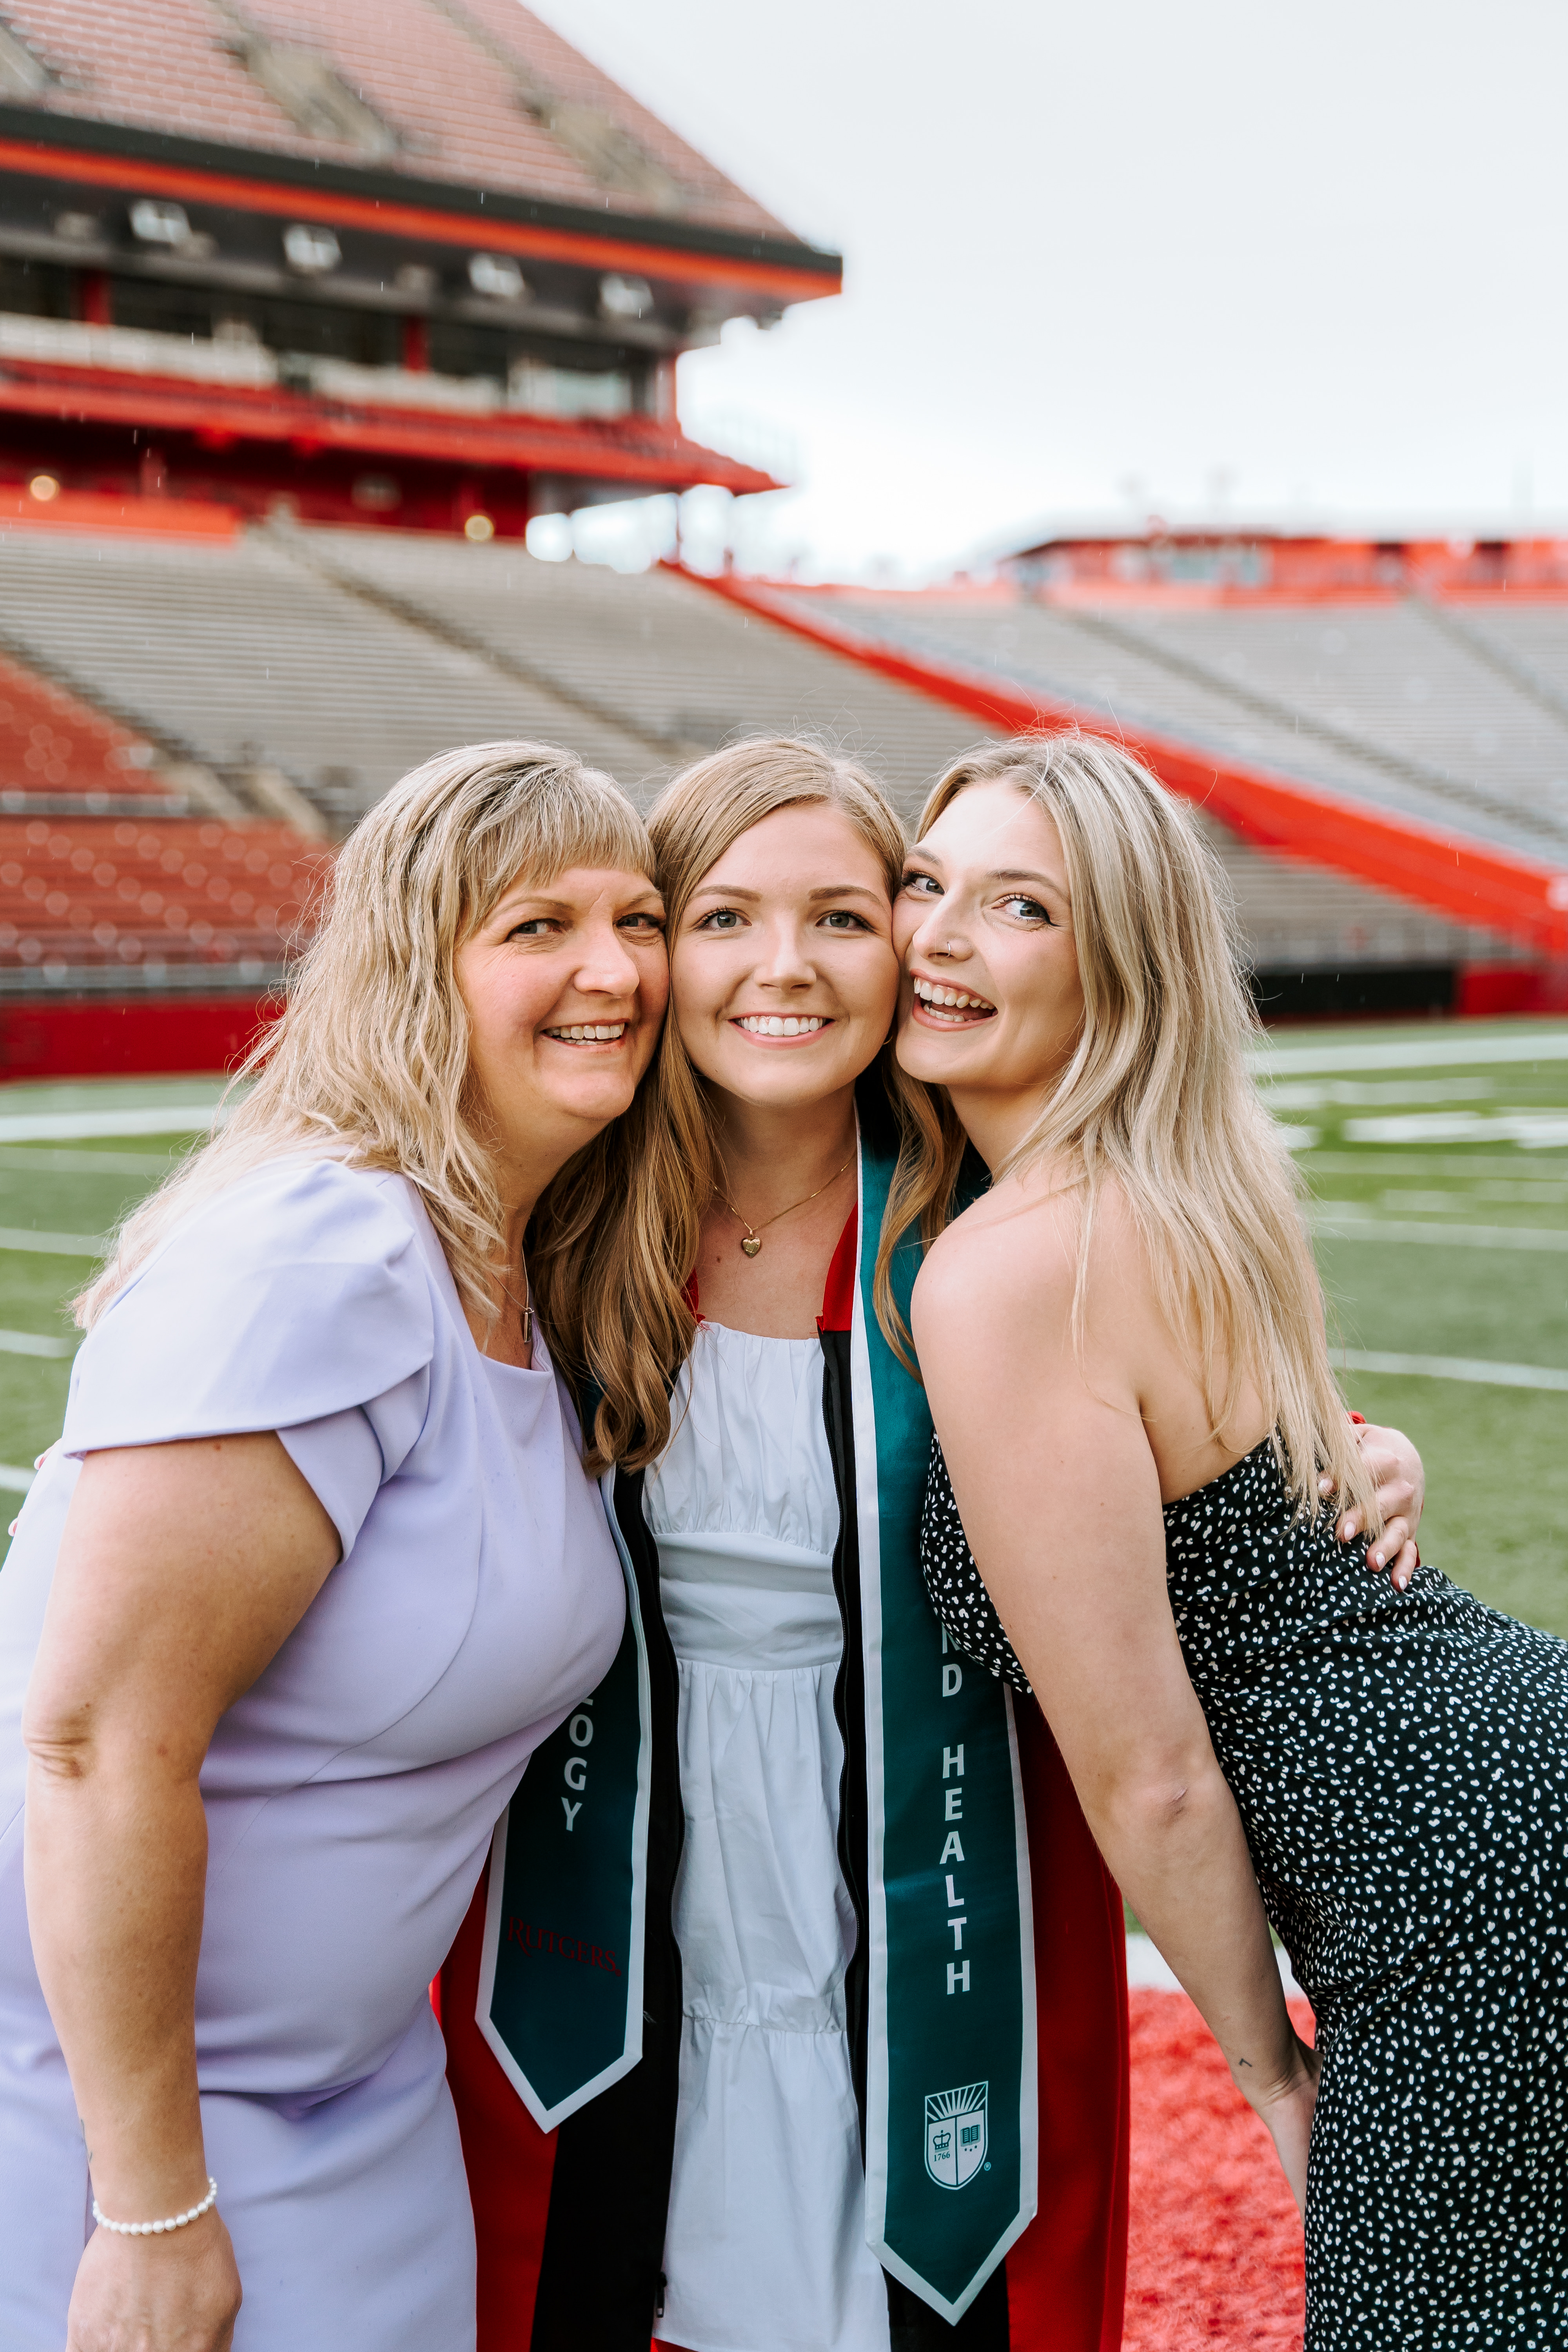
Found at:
<point>1061,1504</point>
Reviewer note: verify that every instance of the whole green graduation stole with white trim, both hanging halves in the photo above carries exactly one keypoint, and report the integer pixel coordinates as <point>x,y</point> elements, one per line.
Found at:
<point>951,2104</point>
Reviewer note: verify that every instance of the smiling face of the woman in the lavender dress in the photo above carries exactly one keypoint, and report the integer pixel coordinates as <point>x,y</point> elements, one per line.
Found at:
<point>565,996</point>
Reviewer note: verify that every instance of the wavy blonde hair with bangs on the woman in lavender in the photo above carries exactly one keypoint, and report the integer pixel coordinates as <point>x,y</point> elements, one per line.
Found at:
<point>370,1057</point>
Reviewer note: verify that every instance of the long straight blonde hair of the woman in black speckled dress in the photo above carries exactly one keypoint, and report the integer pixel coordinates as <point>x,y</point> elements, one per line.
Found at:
<point>1160,1102</point>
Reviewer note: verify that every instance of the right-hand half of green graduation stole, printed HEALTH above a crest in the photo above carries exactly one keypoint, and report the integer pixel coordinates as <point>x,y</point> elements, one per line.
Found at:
<point>951,2094</point>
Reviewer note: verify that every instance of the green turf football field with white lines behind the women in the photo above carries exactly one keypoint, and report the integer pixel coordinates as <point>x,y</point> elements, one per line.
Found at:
<point>1438,1161</point>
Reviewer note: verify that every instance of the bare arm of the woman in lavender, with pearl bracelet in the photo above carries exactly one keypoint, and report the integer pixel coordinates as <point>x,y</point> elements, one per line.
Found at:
<point>180,1575</point>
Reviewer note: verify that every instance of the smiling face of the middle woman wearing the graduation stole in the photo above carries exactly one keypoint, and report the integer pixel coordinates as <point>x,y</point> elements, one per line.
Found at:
<point>784,965</point>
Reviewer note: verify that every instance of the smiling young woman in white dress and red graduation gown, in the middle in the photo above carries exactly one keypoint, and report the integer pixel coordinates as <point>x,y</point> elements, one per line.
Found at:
<point>732,2158</point>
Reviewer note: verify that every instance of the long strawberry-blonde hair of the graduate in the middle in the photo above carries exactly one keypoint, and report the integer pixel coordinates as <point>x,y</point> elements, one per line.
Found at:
<point>641,1203</point>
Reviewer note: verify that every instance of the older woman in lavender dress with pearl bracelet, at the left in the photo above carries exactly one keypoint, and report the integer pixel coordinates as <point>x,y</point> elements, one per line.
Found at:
<point>304,1584</point>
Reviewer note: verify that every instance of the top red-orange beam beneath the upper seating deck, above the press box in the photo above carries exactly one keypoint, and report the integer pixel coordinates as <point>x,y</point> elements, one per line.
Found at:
<point>638,450</point>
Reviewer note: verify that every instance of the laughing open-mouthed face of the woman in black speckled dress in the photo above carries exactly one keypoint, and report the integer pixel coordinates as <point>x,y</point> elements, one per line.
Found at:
<point>991,1005</point>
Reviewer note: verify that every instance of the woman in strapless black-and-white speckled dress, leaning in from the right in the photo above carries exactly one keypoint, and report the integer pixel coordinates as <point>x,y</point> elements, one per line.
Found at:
<point>1137,1434</point>
